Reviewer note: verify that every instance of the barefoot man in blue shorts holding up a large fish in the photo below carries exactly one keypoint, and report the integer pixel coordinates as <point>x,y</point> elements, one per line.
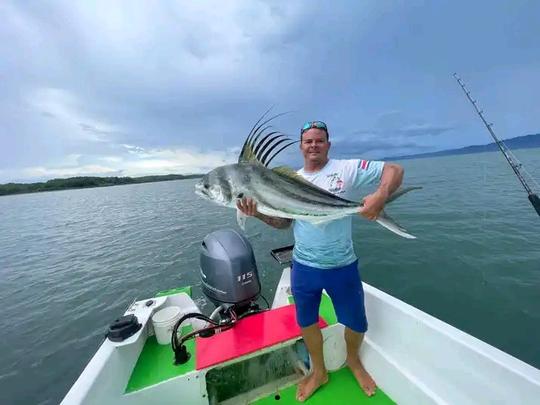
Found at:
<point>323,256</point>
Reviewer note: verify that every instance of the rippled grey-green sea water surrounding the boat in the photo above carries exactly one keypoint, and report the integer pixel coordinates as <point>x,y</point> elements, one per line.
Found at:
<point>71,261</point>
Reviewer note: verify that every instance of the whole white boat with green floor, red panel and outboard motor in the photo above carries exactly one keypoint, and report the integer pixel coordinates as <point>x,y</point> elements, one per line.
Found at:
<point>258,357</point>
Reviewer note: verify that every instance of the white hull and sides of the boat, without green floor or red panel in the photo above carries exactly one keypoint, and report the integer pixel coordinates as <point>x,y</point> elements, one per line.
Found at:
<point>414,357</point>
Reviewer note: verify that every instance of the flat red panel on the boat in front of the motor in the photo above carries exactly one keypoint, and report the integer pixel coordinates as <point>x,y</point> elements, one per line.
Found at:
<point>249,335</point>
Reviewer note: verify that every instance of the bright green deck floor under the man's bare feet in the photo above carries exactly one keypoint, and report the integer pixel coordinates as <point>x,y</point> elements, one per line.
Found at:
<point>341,388</point>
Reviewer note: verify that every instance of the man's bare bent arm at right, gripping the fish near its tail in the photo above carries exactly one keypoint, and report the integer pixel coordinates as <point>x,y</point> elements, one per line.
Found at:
<point>391,179</point>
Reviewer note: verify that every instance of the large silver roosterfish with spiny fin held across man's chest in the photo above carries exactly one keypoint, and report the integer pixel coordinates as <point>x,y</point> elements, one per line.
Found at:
<point>280,191</point>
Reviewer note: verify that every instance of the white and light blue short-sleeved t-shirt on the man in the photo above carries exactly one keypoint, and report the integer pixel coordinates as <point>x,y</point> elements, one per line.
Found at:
<point>329,245</point>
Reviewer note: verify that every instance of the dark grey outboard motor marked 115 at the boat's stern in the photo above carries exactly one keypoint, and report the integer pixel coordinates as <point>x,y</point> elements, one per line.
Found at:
<point>228,269</point>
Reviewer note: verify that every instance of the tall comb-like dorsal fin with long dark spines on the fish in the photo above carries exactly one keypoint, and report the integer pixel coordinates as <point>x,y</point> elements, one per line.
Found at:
<point>260,144</point>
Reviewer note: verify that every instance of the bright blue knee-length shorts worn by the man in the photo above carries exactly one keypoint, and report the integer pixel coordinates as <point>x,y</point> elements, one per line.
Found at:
<point>342,284</point>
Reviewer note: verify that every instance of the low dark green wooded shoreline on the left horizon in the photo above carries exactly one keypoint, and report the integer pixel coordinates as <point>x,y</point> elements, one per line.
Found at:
<point>85,182</point>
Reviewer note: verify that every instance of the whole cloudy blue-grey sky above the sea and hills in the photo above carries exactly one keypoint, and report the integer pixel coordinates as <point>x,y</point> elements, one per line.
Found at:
<point>130,88</point>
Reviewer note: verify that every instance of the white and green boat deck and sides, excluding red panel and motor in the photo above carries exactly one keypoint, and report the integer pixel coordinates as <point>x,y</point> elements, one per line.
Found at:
<point>404,351</point>
